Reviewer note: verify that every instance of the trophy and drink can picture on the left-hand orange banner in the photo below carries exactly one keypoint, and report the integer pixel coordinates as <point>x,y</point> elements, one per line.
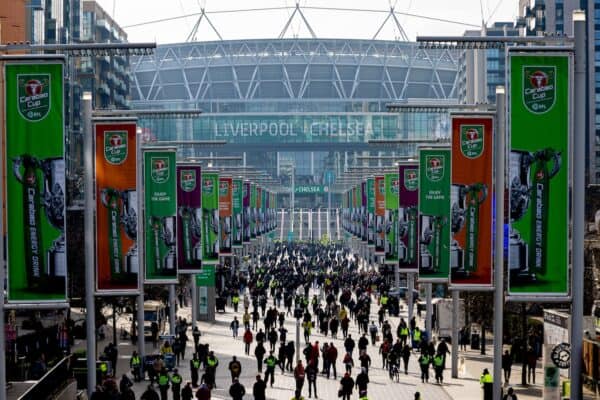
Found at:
<point>121,207</point>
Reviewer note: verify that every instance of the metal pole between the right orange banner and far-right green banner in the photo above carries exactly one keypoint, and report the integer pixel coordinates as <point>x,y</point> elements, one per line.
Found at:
<point>499,241</point>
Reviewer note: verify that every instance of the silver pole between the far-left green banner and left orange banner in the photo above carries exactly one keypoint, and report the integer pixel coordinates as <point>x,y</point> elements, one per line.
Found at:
<point>89,244</point>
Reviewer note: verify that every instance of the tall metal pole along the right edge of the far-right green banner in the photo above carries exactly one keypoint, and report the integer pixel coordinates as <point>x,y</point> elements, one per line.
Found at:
<point>579,28</point>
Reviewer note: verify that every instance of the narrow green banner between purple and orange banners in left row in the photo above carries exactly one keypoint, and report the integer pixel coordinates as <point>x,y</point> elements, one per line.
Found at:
<point>210,218</point>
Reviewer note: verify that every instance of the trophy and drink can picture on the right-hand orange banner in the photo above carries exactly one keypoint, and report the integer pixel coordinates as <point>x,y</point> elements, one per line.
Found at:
<point>465,213</point>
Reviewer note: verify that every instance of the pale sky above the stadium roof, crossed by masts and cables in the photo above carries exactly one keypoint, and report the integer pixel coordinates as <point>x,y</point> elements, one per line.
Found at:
<point>268,24</point>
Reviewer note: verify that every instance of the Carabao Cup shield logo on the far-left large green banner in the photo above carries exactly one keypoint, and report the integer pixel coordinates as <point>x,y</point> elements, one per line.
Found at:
<point>33,96</point>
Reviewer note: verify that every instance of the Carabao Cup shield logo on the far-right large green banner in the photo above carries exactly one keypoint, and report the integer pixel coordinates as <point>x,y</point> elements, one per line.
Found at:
<point>539,88</point>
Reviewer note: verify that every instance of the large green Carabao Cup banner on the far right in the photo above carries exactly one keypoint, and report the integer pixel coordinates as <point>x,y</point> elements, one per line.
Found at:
<point>539,110</point>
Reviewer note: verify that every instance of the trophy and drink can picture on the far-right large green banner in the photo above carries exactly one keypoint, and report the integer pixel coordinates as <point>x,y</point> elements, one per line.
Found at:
<point>530,175</point>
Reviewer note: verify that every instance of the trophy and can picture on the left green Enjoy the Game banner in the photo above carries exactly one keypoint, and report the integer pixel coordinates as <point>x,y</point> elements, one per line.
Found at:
<point>163,234</point>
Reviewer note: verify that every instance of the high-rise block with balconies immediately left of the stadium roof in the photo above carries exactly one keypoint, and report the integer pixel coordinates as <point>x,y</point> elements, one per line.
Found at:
<point>106,77</point>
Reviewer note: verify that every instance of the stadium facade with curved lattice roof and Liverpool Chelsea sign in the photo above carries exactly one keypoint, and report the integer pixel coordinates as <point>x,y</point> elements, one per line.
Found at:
<point>316,103</point>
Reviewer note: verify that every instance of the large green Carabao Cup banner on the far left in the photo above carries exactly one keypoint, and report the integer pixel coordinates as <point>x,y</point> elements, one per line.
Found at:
<point>35,180</point>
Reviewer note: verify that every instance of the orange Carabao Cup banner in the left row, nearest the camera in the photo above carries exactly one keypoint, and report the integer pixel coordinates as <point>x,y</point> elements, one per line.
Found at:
<point>117,254</point>
